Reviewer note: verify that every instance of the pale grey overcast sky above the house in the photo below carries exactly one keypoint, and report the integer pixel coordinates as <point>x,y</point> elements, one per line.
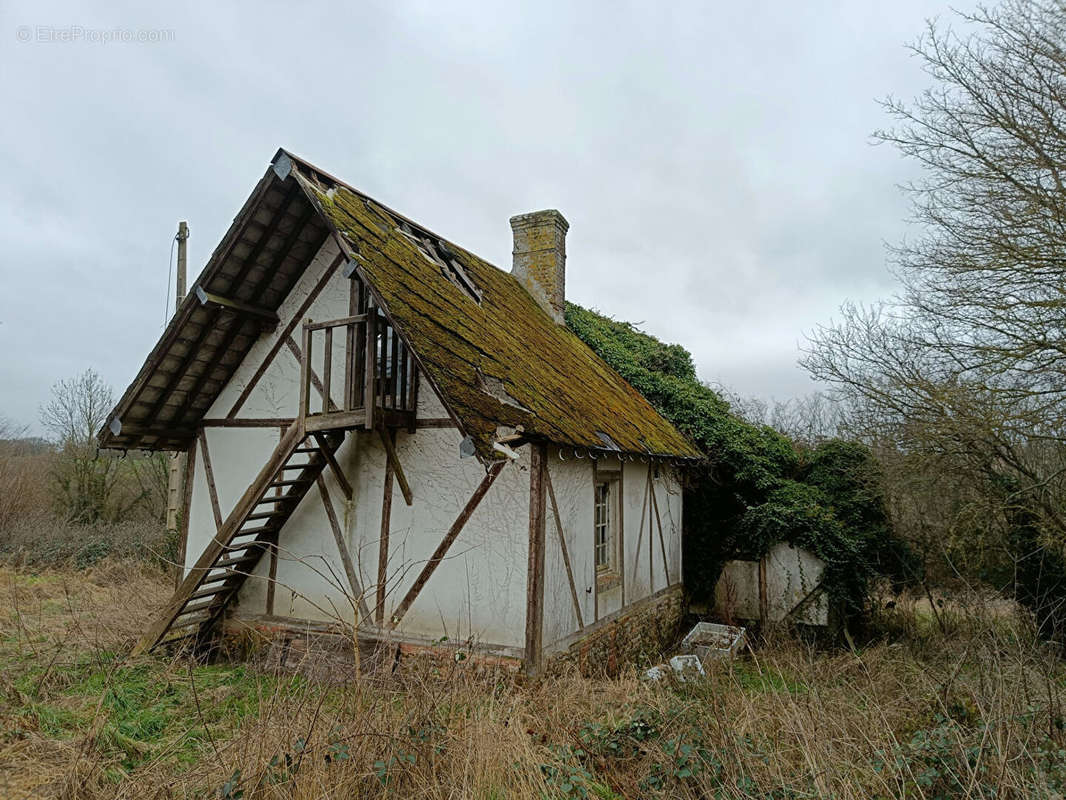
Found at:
<point>715,161</point>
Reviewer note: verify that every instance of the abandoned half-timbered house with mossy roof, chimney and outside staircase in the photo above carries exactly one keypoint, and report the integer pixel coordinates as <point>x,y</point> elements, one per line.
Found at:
<point>389,435</point>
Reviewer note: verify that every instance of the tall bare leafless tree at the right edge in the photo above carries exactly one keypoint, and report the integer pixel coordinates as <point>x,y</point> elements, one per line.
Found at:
<point>966,370</point>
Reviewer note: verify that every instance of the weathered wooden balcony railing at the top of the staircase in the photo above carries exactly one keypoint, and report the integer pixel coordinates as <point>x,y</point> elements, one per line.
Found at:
<point>376,370</point>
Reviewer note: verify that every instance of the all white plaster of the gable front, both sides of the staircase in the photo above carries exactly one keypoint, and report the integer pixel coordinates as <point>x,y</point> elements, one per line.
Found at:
<point>478,591</point>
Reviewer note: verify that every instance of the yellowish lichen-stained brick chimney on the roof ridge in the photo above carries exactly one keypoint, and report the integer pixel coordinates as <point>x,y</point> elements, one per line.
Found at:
<point>540,259</point>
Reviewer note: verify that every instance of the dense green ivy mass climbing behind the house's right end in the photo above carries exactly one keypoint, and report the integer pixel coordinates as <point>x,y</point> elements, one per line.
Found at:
<point>755,487</point>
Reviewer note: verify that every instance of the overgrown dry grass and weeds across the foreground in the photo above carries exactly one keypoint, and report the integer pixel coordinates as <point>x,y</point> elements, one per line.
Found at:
<point>975,713</point>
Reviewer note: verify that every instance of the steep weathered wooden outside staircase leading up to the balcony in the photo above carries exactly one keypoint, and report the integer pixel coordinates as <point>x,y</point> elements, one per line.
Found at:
<point>251,531</point>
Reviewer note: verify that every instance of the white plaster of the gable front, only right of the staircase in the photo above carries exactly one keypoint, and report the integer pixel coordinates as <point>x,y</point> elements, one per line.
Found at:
<point>479,590</point>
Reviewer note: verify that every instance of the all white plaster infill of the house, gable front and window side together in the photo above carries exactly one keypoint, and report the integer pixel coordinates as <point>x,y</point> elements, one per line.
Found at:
<point>479,590</point>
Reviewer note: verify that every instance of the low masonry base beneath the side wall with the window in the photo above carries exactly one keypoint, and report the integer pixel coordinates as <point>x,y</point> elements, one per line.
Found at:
<point>639,634</point>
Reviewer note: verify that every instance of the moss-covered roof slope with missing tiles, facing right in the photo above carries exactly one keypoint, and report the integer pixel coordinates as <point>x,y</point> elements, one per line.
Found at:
<point>498,361</point>
